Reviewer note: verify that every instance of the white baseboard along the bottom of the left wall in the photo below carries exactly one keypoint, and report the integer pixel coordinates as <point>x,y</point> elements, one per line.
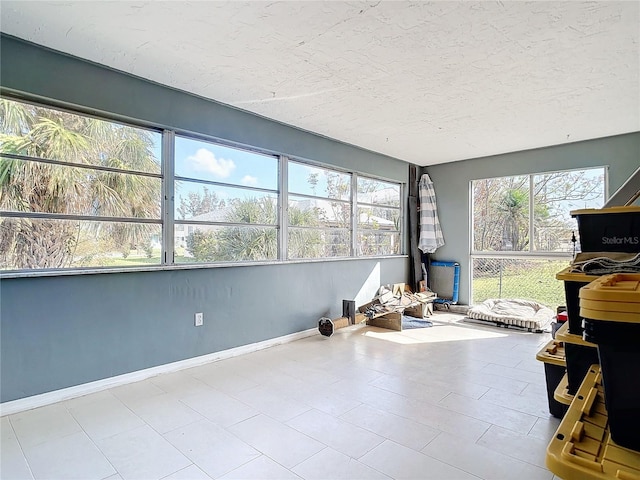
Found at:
<point>28,403</point>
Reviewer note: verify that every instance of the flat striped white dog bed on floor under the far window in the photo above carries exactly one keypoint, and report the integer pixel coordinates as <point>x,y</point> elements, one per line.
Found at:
<point>513,311</point>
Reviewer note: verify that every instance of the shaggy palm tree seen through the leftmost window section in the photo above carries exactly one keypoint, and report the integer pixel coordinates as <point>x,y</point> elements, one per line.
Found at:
<point>42,187</point>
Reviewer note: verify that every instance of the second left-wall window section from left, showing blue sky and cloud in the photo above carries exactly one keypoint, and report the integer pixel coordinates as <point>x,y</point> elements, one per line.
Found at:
<point>226,203</point>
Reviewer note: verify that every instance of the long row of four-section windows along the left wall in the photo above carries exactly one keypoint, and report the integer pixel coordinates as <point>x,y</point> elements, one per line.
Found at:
<point>77,191</point>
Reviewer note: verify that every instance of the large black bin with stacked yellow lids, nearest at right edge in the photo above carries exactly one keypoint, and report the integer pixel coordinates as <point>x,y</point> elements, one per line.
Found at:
<point>610,307</point>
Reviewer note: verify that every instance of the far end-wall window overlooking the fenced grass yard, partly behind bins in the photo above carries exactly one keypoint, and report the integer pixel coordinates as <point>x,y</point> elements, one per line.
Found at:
<point>522,231</point>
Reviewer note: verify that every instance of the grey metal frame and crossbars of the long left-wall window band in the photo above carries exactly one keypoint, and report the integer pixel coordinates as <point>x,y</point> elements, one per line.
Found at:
<point>168,179</point>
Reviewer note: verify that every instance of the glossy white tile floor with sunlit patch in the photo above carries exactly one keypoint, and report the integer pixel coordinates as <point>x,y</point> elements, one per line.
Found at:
<point>455,401</point>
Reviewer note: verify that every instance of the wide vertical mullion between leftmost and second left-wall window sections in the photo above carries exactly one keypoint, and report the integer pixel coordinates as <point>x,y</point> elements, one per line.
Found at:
<point>168,197</point>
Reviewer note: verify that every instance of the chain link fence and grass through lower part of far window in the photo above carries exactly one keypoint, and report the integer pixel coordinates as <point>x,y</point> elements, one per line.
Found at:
<point>530,279</point>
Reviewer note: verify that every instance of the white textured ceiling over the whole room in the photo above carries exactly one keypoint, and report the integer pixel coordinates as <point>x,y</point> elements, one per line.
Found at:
<point>426,82</point>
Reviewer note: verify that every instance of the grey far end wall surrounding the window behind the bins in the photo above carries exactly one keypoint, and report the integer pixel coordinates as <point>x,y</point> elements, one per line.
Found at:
<point>452,184</point>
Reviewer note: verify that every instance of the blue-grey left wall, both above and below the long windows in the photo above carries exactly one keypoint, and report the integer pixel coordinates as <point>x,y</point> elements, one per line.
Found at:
<point>62,331</point>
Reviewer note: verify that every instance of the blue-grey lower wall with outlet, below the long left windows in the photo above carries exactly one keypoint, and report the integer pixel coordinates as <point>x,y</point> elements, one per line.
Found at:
<point>63,331</point>
